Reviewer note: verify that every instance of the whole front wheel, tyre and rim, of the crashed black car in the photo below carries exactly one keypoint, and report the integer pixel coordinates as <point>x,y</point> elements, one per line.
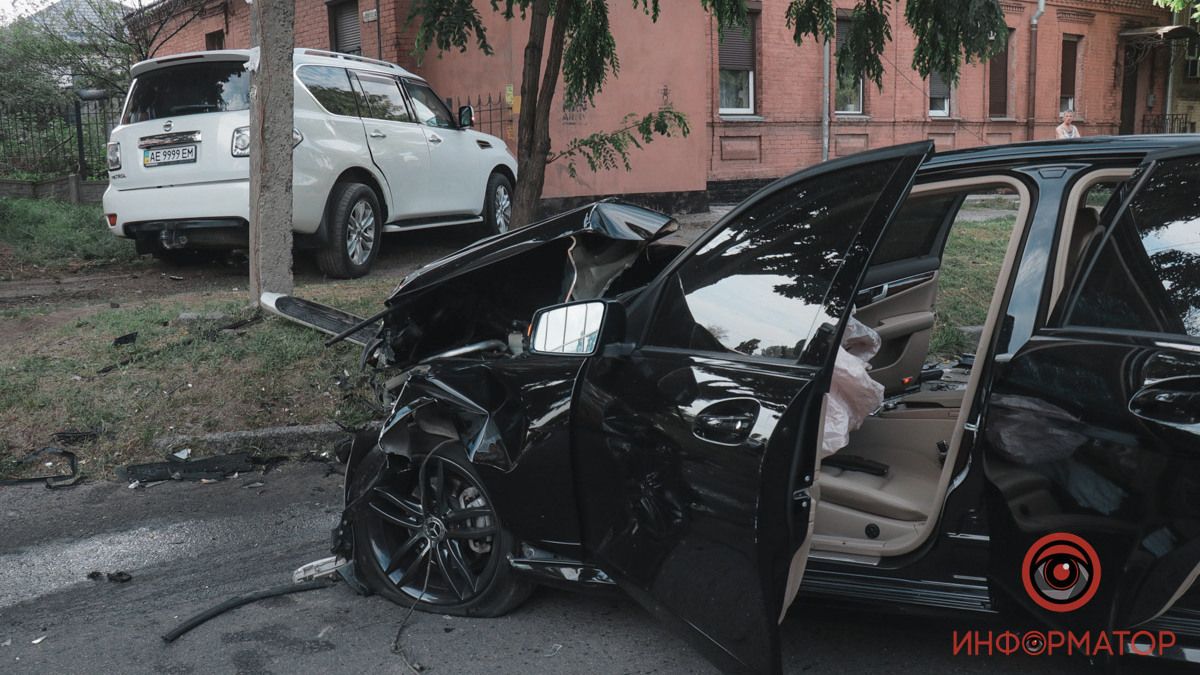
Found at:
<point>431,536</point>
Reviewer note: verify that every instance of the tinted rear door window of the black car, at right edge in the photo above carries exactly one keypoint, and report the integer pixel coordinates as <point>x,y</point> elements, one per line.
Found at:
<point>1147,277</point>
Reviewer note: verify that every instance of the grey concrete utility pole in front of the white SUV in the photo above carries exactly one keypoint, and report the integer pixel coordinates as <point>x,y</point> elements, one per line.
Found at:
<point>271,148</point>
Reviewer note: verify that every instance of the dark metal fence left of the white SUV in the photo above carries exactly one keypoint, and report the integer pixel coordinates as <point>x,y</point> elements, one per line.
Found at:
<point>58,140</point>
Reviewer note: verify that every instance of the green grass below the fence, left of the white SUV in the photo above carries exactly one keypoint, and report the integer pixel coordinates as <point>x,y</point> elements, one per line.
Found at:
<point>52,235</point>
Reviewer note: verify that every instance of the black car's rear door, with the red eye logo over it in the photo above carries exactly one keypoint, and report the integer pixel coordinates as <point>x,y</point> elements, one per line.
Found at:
<point>1091,429</point>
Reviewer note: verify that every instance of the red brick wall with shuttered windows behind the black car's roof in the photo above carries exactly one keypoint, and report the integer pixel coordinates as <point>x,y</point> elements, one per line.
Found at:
<point>785,135</point>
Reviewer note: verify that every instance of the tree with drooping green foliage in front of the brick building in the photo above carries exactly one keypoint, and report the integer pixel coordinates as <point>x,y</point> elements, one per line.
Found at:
<point>572,41</point>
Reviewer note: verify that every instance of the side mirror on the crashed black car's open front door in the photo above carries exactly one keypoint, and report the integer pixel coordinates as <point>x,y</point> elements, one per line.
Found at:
<point>578,330</point>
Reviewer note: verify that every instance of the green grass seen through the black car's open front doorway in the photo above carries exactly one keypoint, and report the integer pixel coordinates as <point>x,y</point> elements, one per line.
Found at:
<point>975,253</point>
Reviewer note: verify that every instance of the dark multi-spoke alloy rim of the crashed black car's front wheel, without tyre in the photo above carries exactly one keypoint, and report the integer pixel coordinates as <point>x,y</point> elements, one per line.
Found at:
<point>434,533</point>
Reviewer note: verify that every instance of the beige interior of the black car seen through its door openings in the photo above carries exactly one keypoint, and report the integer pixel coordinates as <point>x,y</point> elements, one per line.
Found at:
<point>880,495</point>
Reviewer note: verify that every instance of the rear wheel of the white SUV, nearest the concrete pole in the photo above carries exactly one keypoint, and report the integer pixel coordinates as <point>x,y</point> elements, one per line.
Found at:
<point>355,228</point>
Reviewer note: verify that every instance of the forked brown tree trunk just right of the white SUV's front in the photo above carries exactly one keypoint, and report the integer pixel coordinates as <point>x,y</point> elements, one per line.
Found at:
<point>536,147</point>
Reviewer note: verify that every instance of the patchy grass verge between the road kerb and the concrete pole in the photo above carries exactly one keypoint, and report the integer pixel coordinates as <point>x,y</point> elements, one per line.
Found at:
<point>178,378</point>
